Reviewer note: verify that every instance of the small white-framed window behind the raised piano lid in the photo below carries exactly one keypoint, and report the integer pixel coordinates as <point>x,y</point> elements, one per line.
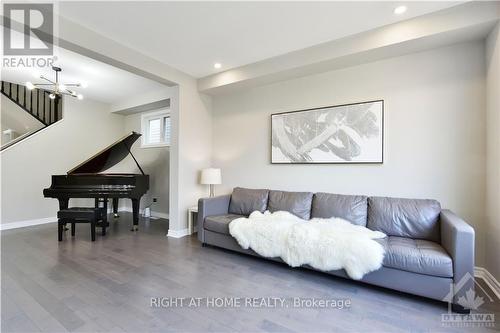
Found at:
<point>156,129</point>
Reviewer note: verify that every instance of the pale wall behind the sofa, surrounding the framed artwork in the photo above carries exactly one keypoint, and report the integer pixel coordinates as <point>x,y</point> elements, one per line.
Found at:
<point>434,131</point>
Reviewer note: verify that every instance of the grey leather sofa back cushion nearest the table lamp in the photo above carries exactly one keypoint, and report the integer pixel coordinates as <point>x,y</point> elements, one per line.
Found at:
<point>245,201</point>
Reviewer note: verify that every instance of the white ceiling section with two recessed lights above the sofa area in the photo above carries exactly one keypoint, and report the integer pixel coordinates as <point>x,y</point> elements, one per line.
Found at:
<point>192,36</point>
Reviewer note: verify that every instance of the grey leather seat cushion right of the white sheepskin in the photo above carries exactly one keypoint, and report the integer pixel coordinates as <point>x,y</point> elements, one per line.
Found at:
<point>417,256</point>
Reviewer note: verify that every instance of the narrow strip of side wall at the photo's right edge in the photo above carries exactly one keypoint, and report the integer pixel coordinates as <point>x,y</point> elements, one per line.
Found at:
<point>493,153</point>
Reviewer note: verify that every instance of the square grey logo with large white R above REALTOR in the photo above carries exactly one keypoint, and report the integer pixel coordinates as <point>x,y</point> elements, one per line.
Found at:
<point>28,29</point>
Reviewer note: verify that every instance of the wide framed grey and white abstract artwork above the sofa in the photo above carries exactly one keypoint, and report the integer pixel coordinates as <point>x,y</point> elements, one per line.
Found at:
<point>351,133</point>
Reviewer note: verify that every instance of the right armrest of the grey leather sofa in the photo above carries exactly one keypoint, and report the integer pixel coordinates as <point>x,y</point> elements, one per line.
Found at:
<point>457,238</point>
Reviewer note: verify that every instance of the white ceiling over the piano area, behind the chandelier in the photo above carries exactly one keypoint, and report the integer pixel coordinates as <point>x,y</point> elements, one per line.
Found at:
<point>106,83</point>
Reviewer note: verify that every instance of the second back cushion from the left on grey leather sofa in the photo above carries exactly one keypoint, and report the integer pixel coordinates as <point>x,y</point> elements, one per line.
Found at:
<point>297,203</point>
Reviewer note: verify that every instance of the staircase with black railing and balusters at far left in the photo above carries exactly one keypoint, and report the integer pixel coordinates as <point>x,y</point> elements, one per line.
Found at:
<point>36,103</point>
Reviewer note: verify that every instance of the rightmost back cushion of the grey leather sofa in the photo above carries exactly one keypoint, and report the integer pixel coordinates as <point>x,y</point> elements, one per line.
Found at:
<point>413,218</point>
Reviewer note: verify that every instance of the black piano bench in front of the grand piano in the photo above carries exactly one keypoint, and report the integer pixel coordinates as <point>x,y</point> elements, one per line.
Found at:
<point>79,215</point>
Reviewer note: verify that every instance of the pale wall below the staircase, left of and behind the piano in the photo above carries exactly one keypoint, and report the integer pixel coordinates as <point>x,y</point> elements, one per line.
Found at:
<point>86,128</point>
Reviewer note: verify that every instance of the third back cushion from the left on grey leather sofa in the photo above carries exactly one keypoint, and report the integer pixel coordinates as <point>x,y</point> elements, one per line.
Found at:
<point>353,208</point>
